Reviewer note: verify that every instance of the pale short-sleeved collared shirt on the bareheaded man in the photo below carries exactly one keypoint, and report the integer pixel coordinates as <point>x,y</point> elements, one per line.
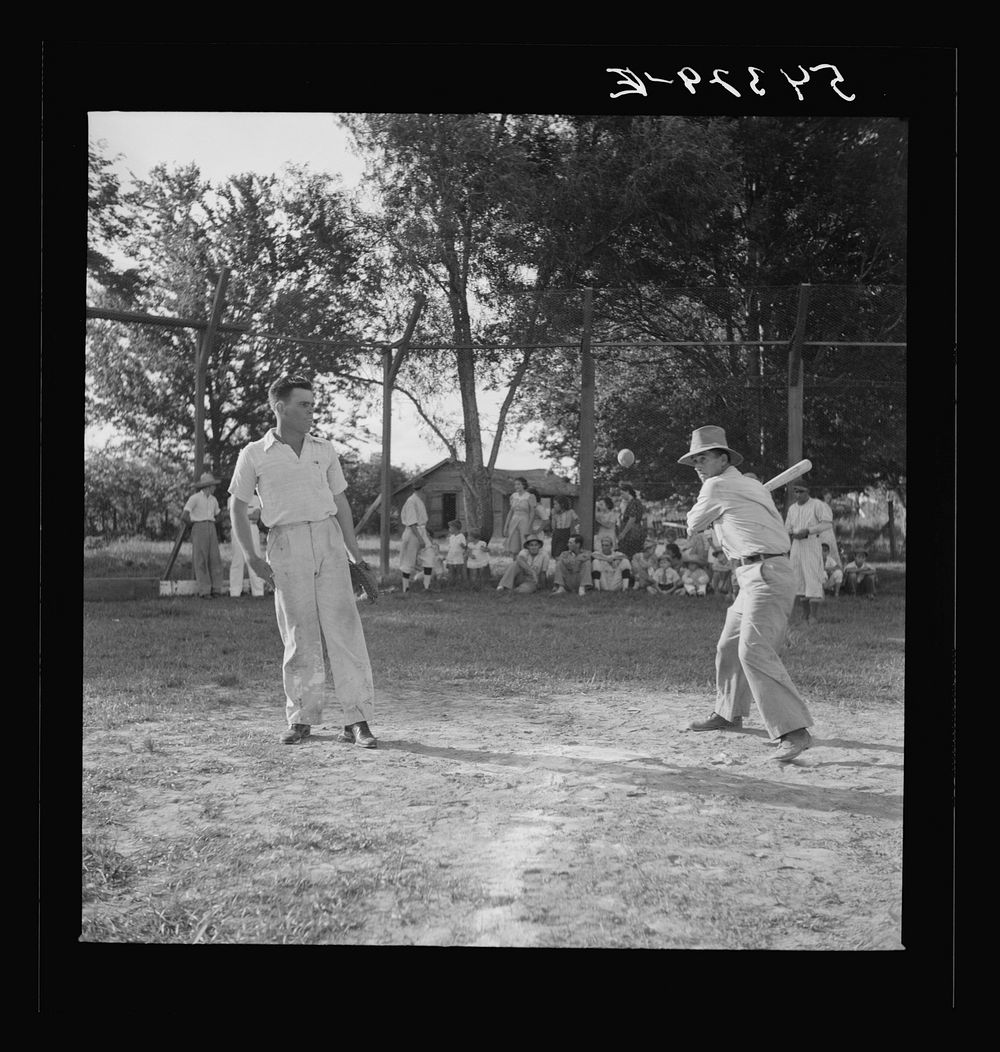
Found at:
<point>293,490</point>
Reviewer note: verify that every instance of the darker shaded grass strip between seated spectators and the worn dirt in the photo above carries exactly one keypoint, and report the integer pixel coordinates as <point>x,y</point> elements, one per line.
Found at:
<point>141,655</point>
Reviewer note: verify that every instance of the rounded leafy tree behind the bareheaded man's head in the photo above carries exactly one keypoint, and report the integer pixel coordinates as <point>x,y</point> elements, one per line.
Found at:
<point>298,269</point>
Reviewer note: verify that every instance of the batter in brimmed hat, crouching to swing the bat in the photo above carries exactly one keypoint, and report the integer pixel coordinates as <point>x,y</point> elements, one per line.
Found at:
<point>753,536</point>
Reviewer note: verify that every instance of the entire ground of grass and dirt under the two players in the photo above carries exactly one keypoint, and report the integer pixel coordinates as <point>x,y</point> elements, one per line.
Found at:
<point>195,830</point>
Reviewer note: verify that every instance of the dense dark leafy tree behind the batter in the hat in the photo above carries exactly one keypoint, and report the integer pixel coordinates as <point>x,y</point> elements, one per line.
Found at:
<point>820,201</point>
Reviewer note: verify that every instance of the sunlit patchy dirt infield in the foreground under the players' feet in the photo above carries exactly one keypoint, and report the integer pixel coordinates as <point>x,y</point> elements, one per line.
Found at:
<point>580,820</point>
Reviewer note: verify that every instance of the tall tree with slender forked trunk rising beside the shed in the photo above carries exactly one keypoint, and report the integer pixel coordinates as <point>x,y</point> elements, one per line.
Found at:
<point>492,212</point>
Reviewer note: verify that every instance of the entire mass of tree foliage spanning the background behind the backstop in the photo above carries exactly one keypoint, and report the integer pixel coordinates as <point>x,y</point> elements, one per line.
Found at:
<point>693,231</point>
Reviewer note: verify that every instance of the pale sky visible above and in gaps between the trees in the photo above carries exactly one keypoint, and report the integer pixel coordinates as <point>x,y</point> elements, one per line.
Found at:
<point>223,145</point>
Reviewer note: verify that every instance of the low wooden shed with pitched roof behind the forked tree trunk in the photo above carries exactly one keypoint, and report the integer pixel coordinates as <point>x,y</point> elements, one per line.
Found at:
<point>445,497</point>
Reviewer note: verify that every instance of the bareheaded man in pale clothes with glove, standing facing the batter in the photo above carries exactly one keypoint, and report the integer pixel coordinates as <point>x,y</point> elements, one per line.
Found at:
<point>303,496</point>
